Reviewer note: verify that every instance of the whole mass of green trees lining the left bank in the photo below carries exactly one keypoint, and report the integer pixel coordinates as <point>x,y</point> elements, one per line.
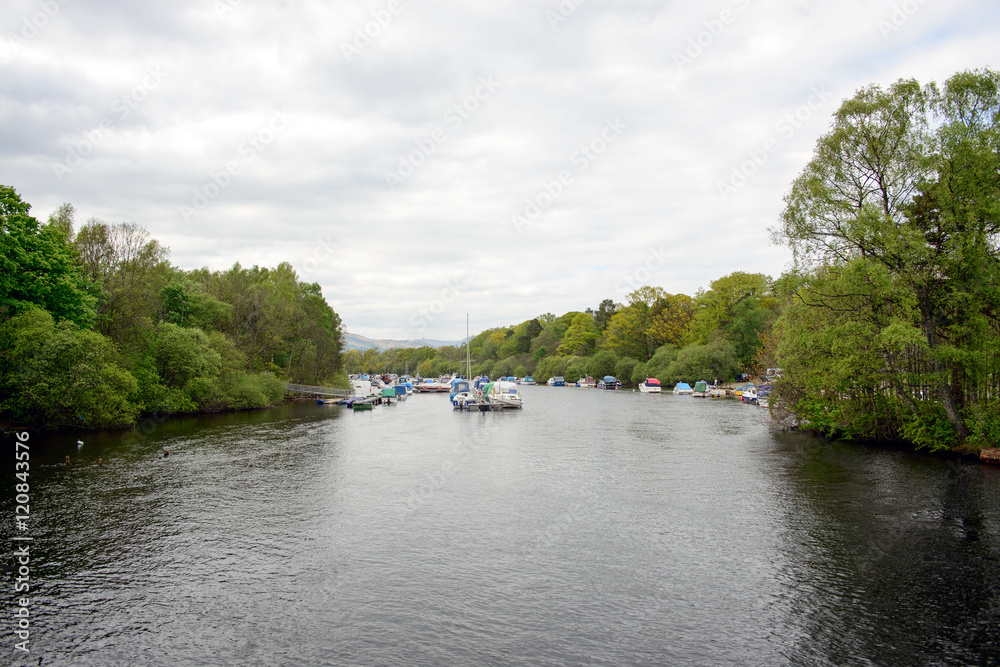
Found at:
<point>97,328</point>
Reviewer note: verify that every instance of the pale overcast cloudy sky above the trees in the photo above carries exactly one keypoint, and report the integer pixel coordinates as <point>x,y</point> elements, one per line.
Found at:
<point>423,161</point>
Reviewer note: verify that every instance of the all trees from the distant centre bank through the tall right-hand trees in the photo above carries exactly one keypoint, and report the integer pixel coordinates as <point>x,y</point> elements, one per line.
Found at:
<point>886,328</point>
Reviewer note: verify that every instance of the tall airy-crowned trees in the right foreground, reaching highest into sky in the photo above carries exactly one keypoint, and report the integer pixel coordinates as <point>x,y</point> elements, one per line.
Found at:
<point>906,217</point>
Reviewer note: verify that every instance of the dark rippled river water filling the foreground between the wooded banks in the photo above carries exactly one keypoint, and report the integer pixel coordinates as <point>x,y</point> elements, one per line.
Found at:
<point>591,528</point>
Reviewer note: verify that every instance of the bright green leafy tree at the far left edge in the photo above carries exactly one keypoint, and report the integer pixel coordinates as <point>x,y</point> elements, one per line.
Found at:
<point>38,266</point>
